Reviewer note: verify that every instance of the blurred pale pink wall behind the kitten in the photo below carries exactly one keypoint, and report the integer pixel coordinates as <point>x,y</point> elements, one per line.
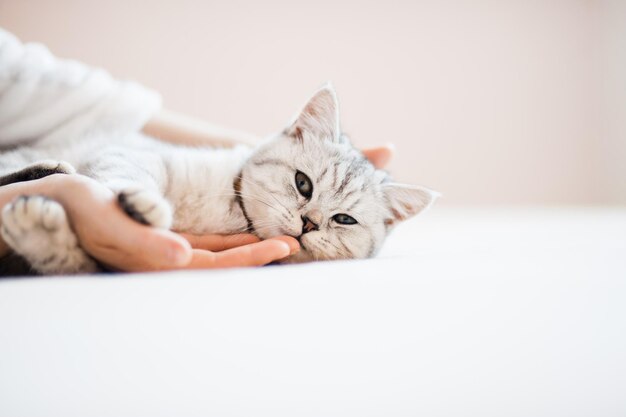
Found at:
<point>489,102</point>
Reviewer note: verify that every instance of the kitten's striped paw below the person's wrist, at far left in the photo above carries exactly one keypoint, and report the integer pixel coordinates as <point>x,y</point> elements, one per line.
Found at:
<point>37,228</point>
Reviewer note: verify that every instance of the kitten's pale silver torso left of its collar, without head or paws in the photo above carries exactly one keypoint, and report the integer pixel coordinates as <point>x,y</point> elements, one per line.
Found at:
<point>191,179</point>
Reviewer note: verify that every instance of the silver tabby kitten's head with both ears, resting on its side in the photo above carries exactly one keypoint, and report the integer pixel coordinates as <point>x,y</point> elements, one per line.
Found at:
<point>311,183</point>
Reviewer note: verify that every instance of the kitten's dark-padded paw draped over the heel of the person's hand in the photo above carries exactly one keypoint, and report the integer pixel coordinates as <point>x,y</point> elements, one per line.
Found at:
<point>146,207</point>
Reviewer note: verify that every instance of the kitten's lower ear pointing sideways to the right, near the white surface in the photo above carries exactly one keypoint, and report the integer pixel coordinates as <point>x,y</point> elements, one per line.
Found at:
<point>405,201</point>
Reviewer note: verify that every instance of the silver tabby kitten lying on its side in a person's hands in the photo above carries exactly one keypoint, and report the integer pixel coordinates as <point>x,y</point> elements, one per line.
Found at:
<point>307,182</point>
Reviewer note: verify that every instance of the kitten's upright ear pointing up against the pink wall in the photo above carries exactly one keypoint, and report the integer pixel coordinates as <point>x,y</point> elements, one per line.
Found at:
<point>319,118</point>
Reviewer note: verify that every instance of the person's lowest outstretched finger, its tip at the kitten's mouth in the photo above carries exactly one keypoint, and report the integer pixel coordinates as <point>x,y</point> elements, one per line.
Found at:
<point>255,254</point>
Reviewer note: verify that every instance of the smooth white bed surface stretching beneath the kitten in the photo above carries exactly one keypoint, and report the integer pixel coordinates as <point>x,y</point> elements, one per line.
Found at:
<point>465,313</point>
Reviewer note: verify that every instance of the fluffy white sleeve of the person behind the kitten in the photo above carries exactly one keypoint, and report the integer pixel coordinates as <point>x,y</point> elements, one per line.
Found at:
<point>44,97</point>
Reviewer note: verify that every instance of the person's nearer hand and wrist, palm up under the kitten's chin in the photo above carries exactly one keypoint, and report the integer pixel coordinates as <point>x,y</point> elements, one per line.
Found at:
<point>117,241</point>
